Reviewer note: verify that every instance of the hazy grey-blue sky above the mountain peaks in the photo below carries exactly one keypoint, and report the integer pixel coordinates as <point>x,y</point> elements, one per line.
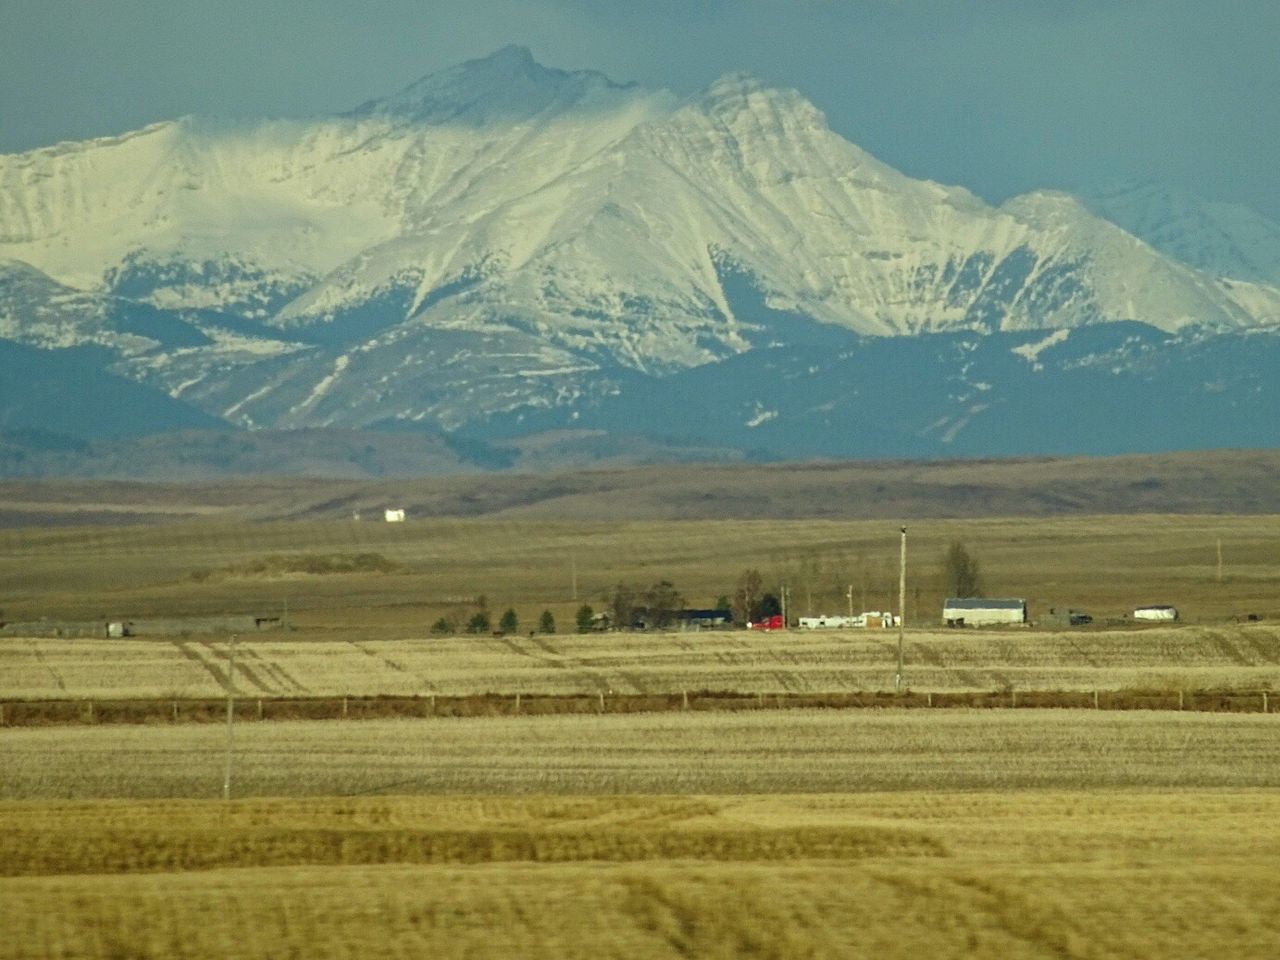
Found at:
<point>1000,97</point>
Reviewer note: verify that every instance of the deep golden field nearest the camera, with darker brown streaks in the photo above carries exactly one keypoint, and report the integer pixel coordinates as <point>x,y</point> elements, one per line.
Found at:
<point>1117,874</point>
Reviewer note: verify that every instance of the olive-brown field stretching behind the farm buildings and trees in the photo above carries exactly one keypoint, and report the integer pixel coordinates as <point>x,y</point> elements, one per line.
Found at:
<point>374,580</point>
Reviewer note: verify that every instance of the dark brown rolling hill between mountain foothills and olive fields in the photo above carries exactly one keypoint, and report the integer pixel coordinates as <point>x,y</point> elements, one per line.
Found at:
<point>1215,482</point>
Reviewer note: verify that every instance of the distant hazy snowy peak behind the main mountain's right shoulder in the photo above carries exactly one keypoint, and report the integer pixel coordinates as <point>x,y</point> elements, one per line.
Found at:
<point>1226,240</point>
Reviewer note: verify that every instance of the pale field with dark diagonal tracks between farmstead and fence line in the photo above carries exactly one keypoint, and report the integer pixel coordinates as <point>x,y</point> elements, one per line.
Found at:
<point>303,665</point>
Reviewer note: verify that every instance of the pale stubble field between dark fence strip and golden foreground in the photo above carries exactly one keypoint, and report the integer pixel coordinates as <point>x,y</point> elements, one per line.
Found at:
<point>652,753</point>
